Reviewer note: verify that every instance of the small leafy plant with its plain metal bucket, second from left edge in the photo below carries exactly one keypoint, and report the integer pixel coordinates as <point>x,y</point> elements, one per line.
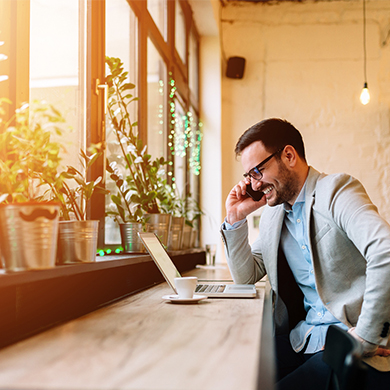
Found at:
<point>77,241</point>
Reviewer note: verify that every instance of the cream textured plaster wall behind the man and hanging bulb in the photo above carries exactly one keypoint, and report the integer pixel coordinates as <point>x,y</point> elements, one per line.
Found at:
<point>304,63</point>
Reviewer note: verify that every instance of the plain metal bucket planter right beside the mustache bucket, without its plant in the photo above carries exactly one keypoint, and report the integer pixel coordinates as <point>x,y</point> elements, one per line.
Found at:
<point>77,241</point>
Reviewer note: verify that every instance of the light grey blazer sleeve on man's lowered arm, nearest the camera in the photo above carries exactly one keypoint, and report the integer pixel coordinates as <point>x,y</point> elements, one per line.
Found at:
<point>357,217</point>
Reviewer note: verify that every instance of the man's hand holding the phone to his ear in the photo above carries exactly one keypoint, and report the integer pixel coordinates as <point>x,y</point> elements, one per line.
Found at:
<point>239,204</point>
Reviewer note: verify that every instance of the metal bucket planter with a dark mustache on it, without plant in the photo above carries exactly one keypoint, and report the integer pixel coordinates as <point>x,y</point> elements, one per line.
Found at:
<point>28,235</point>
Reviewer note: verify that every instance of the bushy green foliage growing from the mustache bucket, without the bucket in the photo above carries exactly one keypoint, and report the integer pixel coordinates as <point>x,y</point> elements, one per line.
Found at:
<point>29,159</point>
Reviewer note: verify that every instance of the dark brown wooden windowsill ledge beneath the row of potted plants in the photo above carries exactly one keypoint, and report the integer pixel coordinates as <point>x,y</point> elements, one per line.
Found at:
<point>34,301</point>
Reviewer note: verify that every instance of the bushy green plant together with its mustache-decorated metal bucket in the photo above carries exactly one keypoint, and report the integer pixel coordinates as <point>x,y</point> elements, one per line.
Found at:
<point>28,161</point>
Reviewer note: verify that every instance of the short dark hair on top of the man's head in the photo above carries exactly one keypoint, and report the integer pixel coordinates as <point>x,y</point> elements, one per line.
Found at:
<point>274,133</point>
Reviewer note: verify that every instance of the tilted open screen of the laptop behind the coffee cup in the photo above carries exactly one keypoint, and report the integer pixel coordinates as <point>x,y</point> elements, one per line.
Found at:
<point>160,257</point>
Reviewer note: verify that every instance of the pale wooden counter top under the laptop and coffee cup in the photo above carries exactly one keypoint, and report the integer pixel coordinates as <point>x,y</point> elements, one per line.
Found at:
<point>143,342</point>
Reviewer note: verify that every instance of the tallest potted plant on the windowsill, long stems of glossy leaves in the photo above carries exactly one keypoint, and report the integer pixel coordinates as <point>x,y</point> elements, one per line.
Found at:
<point>140,180</point>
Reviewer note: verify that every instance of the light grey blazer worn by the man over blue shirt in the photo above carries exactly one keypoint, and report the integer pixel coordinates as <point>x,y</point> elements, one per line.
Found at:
<point>350,251</point>
